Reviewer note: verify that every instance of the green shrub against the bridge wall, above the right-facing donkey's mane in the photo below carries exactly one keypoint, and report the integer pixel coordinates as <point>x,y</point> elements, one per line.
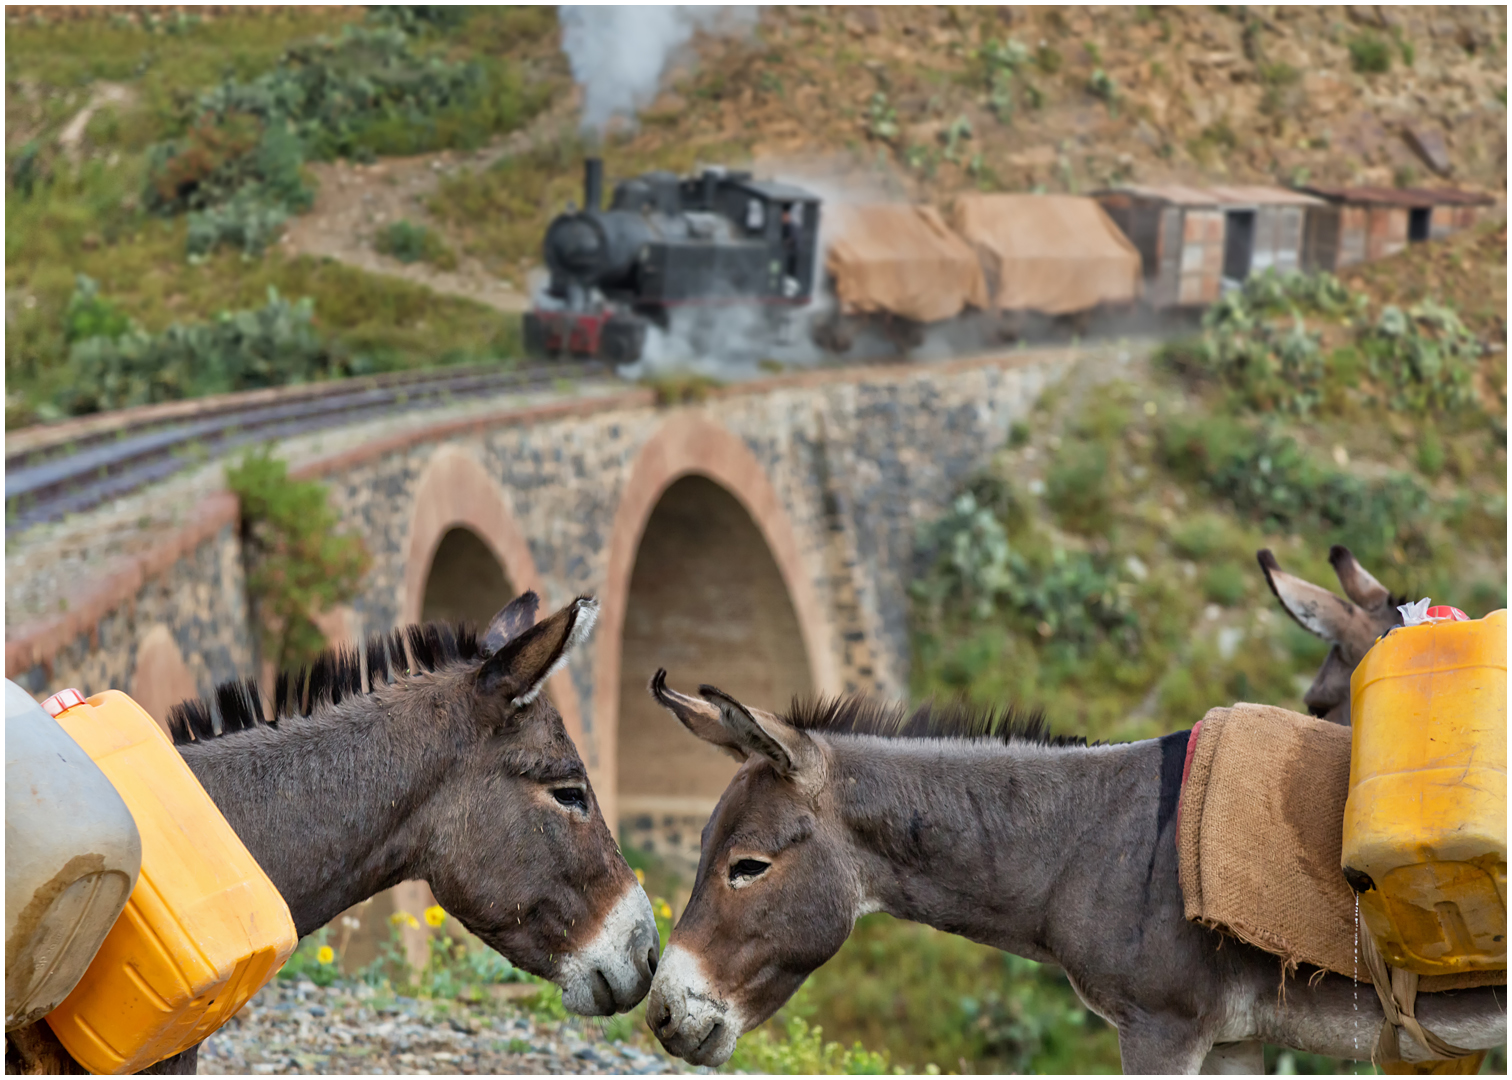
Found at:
<point>299,565</point>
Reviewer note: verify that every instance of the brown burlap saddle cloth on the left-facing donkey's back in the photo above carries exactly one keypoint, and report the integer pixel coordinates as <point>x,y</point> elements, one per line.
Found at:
<point>1262,834</point>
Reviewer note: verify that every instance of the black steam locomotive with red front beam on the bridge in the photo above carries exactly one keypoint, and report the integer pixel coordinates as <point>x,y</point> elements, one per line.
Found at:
<point>666,244</point>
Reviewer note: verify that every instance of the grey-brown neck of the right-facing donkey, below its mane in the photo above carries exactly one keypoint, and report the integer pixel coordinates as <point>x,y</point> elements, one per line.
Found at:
<point>333,805</point>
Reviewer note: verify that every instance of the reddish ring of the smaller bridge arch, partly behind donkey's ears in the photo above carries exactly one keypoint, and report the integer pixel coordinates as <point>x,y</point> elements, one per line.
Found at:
<point>456,491</point>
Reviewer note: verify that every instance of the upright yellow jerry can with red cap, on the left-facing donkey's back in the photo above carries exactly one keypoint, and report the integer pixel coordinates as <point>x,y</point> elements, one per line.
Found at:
<point>1427,821</point>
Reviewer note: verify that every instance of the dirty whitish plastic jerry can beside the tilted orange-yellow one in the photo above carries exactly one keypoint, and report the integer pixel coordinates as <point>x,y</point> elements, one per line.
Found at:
<point>72,860</point>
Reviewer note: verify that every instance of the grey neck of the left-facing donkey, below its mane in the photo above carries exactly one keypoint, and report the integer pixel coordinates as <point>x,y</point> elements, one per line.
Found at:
<point>982,839</point>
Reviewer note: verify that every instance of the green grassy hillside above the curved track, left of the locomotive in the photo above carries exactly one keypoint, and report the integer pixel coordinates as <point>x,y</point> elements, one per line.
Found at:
<point>90,209</point>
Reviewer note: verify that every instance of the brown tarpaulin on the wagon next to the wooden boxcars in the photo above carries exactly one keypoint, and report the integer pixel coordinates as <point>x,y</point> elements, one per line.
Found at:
<point>1050,253</point>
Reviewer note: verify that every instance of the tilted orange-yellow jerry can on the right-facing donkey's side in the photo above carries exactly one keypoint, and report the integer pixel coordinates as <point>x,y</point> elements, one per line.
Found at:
<point>205,928</point>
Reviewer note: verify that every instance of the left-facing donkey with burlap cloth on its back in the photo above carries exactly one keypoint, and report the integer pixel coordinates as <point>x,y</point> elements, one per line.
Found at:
<point>1055,851</point>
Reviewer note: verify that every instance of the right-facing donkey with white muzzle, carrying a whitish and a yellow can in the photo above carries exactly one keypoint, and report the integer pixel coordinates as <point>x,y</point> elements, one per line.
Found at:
<point>447,765</point>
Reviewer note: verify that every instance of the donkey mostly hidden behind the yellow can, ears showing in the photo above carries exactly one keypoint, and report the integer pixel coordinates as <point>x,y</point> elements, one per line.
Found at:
<point>1351,625</point>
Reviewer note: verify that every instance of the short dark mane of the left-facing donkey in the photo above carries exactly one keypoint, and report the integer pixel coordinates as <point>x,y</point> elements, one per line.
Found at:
<point>863,715</point>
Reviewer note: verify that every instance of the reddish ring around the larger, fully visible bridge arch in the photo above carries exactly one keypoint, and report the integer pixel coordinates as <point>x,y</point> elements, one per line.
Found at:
<point>693,445</point>
